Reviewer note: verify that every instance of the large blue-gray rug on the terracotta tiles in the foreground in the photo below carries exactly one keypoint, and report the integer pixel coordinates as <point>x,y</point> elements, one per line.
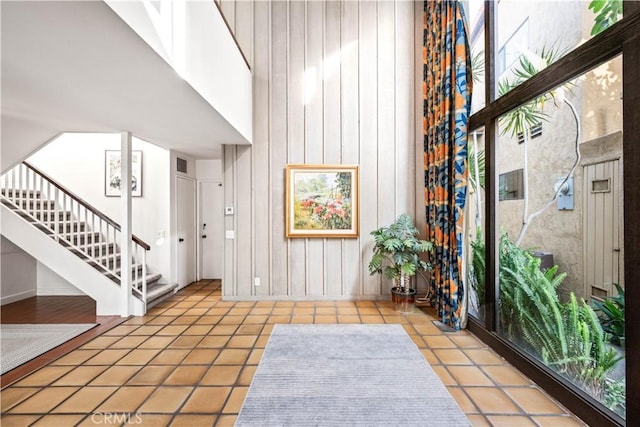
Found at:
<point>346,375</point>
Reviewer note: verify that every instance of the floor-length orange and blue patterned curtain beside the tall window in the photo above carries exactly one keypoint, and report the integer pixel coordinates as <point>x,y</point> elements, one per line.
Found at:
<point>447,102</point>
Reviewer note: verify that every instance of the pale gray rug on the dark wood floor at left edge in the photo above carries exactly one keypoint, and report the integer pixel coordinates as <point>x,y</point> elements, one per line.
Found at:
<point>21,343</point>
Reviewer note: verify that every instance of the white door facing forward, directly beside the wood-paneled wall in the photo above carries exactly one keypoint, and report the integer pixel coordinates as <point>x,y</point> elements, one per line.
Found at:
<point>211,231</point>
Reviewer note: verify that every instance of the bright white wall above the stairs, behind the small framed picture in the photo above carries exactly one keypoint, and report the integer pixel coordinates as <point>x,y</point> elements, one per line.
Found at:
<point>77,161</point>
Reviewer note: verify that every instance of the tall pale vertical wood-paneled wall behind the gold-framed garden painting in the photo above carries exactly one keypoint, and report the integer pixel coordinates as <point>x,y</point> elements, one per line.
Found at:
<point>335,83</point>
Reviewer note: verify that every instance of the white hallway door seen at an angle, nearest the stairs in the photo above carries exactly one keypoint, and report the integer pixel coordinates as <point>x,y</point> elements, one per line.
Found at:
<point>186,200</point>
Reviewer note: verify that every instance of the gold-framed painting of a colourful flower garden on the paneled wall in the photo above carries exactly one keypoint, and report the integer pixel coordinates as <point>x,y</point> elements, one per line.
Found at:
<point>321,201</point>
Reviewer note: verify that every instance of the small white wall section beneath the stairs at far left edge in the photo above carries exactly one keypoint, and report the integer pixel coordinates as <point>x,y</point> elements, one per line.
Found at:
<point>18,274</point>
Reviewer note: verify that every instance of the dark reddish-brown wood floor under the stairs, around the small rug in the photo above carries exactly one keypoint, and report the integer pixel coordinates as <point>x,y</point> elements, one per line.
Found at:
<point>54,309</point>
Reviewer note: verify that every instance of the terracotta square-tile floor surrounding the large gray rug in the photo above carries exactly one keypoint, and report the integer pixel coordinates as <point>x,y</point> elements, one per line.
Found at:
<point>190,361</point>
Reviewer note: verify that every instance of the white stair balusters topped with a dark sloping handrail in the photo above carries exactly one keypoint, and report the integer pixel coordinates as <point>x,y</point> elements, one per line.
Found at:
<point>72,222</point>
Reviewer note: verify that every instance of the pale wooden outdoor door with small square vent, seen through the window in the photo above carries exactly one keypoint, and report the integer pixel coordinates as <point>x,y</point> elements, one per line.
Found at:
<point>602,251</point>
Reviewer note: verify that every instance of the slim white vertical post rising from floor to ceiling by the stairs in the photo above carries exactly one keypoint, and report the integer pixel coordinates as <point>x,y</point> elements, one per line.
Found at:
<point>125,231</point>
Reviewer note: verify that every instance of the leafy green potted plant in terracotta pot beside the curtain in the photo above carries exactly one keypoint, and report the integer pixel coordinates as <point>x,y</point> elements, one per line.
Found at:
<point>396,255</point>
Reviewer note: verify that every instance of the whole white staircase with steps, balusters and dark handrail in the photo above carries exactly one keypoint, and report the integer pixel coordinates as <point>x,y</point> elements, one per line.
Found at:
<point>79,229</point>
